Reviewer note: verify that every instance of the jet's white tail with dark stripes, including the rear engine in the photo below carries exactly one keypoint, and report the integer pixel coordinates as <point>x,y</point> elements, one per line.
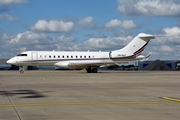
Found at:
<point>133,49</point>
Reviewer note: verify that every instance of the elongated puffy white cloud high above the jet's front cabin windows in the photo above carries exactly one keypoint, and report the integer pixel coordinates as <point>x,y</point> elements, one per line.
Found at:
<point>53,26</point>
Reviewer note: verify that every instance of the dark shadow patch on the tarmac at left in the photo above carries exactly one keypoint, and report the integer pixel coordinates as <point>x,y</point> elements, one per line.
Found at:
<point>23,93</point>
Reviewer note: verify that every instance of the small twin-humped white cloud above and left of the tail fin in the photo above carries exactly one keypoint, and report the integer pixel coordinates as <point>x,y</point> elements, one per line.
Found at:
<point>126,24</point>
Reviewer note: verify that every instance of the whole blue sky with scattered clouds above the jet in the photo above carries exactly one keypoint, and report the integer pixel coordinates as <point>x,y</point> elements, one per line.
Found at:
<point>82,25</point>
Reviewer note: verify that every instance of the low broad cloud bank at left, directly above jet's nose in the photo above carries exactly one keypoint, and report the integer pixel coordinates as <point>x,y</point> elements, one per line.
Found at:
<point>27,41</point>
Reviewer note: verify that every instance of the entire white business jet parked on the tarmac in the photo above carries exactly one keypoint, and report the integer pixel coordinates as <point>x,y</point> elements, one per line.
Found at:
<point>89,60</point>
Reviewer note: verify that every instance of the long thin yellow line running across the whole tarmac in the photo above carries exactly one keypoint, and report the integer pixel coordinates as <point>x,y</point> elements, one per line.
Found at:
<point>84,103</point>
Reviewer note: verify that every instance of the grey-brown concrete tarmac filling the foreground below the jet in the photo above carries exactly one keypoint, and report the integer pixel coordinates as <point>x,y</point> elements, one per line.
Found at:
<point>77,95</point>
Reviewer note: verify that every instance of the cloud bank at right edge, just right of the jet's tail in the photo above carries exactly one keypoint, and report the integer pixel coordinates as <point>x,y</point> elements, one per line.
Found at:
<point>166,46</point>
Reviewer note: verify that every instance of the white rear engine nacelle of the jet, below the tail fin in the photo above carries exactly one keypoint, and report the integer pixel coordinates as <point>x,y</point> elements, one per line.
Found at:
<point>117,55</point>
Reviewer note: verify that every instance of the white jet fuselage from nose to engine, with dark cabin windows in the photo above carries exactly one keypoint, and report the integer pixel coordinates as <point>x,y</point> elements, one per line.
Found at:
<point>49,58</point>
